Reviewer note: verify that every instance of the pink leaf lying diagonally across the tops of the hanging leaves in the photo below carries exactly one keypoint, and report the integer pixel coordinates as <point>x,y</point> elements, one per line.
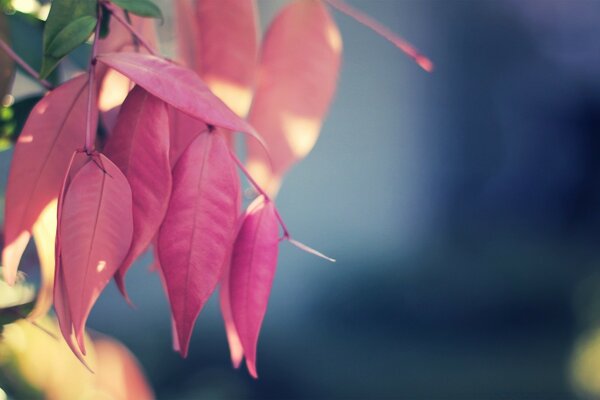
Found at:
<point>178,86</point>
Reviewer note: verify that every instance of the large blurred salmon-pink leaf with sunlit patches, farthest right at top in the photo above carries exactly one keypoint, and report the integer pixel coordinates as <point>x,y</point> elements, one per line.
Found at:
<point>299,66</point>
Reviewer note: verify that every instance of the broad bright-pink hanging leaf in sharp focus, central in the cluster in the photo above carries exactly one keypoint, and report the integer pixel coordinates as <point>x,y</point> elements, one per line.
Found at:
<point>197,233</point>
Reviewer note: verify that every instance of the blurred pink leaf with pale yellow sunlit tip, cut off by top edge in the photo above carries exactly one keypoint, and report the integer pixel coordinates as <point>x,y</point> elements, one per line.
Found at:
<point>226,49</point>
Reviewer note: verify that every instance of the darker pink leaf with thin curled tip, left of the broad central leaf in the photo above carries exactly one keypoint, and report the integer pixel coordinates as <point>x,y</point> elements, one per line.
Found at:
<point>139,146</point>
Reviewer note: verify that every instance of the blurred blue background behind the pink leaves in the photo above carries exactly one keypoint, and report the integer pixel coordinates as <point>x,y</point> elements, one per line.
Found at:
<point>463,208</point>
